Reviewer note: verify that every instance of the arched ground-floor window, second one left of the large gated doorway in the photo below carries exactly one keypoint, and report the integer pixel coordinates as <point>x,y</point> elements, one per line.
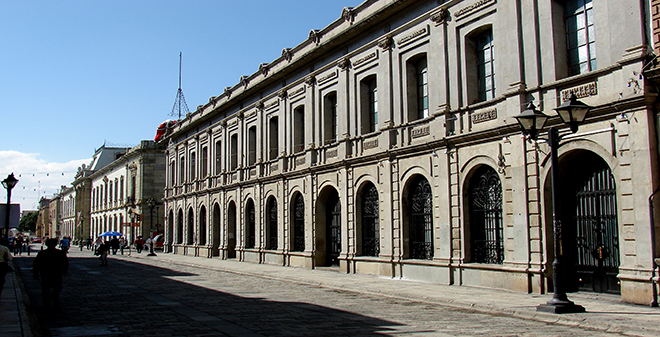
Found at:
<point>421,219</point>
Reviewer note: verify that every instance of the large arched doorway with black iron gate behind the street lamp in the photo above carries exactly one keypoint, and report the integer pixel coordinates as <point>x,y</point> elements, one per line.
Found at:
<point>590,231</point>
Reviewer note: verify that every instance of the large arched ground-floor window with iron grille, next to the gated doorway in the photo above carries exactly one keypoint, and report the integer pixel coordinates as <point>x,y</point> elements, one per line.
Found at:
<point>485,221</point>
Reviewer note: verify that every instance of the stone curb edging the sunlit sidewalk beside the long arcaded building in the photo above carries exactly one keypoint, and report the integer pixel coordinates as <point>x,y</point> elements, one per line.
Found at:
<point>563,319</point>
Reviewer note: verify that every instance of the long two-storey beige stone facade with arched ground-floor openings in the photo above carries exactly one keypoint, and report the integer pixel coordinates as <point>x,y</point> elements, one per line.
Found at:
<point>386,143</point>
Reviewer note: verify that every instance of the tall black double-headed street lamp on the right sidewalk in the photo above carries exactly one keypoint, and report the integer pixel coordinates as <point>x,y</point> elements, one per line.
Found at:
<point>573,113</point>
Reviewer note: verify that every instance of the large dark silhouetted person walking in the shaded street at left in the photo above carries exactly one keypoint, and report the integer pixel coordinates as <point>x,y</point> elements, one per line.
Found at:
<point>48,268</point>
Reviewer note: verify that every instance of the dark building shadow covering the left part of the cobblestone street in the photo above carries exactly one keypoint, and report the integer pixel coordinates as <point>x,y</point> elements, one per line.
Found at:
<point>134,299</point>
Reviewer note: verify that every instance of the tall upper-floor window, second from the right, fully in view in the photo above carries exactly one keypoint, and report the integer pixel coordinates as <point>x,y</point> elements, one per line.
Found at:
<point>485,65</point>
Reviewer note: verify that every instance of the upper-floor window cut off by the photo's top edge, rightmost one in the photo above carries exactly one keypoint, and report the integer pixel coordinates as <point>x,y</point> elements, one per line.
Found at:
<point>580,36</point>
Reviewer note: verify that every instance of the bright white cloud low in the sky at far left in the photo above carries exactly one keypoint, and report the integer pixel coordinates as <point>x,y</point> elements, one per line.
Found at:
<point>36,177</point>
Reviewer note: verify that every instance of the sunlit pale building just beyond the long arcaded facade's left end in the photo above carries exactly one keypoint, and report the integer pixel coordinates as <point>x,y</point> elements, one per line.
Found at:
<point>119,192</point>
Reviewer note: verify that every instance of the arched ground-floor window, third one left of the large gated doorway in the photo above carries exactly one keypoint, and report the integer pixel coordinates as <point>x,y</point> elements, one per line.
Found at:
<point>370,221</point>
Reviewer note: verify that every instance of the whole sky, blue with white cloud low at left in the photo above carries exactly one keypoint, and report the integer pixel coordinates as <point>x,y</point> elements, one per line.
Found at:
<point>77,74</point>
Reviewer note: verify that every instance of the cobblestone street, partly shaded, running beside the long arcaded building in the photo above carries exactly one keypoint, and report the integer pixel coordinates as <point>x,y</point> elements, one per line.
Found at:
<point>151,297</point>
